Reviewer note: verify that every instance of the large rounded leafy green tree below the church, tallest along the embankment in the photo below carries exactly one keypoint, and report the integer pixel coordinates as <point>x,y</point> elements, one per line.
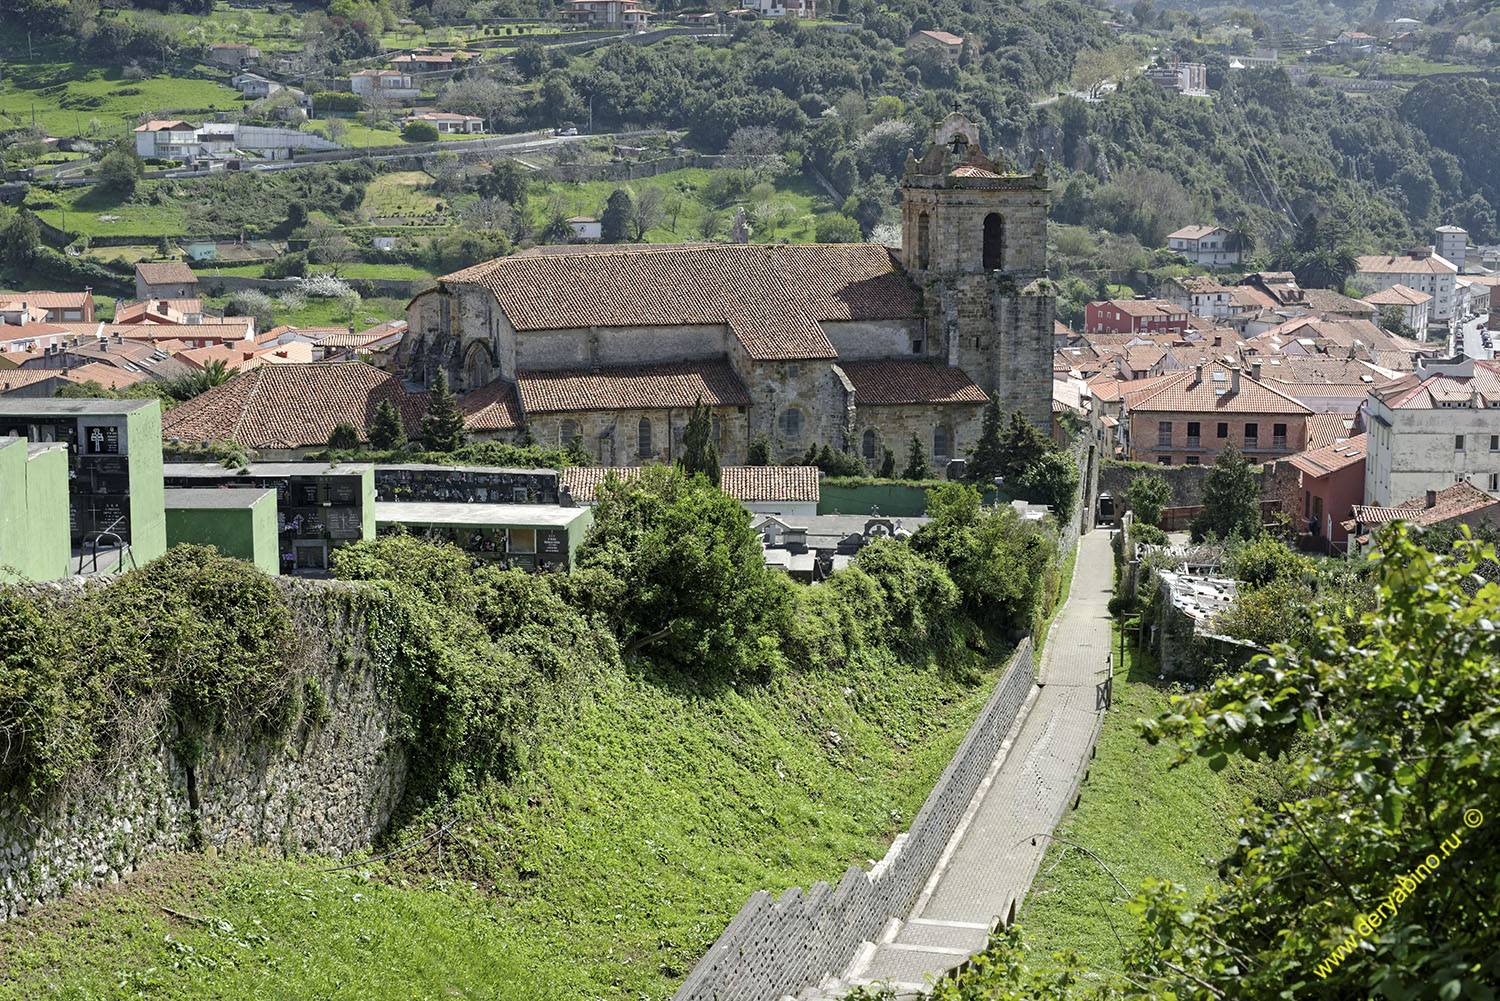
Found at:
<point>697,592</point>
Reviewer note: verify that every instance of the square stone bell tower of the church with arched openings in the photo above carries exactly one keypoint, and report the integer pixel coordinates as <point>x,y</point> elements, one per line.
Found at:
<point>974,239</point>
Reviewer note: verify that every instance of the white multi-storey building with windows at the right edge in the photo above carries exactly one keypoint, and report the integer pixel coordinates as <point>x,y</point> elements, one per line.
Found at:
<point>1433,428</point>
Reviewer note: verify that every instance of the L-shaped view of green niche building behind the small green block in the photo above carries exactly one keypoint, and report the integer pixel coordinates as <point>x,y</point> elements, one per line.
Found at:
<point>319,507</point>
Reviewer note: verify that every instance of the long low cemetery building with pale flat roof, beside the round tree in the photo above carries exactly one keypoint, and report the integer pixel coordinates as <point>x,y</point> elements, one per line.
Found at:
<point>517,537</point>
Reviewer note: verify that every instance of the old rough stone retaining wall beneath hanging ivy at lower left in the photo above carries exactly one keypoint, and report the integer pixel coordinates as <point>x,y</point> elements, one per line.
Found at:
<point>323,790</point>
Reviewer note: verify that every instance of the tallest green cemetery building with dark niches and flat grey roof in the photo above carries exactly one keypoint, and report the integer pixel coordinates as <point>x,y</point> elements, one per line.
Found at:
<point>115,472</point>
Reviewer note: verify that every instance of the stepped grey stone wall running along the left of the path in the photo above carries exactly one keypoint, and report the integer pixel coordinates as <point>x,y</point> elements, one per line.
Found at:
<point>776,948</point>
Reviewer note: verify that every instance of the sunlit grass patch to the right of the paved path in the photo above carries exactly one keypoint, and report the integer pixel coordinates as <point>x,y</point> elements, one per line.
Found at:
<point>1144,819</point>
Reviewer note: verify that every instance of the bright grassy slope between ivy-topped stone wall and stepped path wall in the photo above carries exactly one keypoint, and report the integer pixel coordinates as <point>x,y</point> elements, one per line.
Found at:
<point>602,874</point>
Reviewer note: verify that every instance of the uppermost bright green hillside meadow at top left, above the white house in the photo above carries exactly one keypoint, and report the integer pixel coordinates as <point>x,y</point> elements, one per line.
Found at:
<point>95,101</point>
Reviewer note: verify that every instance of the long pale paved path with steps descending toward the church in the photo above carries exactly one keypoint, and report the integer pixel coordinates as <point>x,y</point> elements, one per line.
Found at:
<point>992,858</point>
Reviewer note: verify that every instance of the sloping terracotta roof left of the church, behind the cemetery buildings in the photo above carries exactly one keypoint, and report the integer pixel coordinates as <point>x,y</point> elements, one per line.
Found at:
<point>292,406</point>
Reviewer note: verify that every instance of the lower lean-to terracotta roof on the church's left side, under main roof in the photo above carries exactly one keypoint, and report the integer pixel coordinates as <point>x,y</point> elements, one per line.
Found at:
<point>632,388</point>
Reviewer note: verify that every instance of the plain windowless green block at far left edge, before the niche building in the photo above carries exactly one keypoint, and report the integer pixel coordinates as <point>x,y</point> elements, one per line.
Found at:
<point>34,517</point>
